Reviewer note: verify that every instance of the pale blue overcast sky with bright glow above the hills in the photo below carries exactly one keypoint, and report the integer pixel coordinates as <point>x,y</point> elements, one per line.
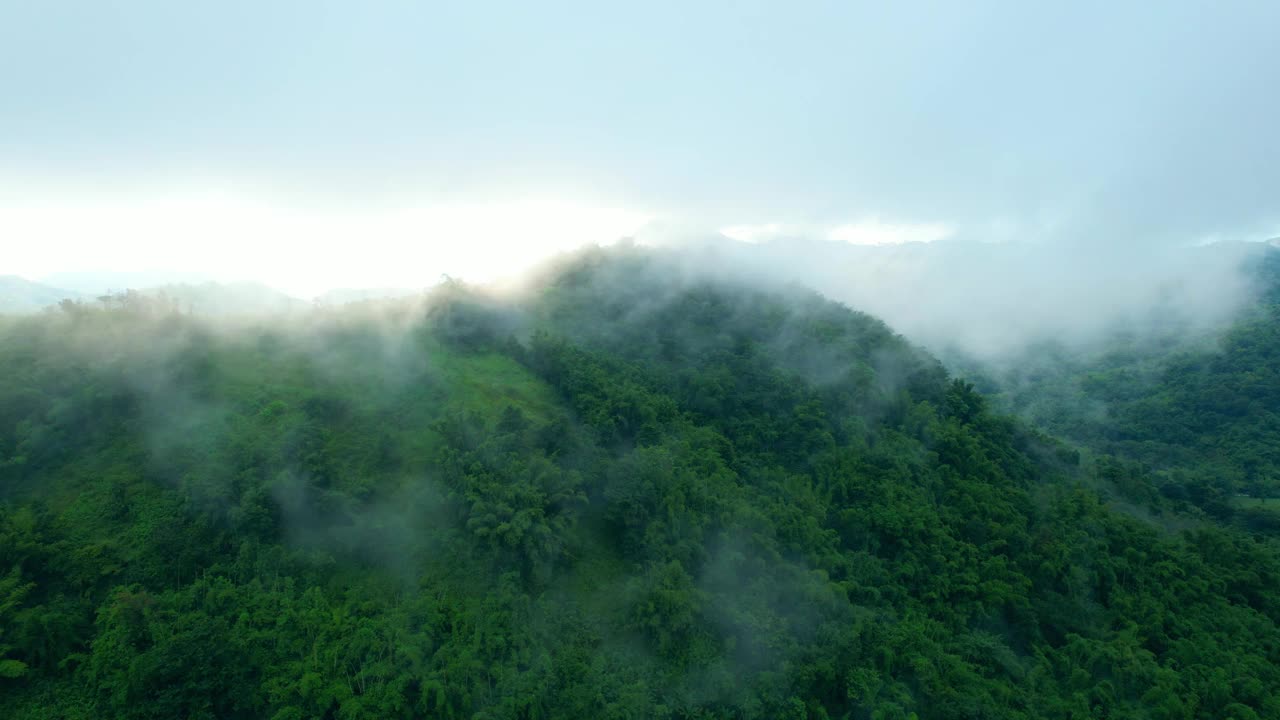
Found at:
<point>316,145</point>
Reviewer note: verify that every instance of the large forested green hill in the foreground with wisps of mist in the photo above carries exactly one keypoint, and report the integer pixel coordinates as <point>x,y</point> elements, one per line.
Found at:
<point>632,495</point>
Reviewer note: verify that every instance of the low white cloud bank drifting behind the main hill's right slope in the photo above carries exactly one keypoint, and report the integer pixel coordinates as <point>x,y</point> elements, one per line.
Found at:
<point>996,300</point>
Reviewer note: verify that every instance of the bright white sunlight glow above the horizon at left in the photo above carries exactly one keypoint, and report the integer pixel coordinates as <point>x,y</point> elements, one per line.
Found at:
<point>301,252</point>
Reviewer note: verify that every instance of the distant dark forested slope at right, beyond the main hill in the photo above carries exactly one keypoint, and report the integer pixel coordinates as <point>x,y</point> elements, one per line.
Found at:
<point>1180,422</point>
